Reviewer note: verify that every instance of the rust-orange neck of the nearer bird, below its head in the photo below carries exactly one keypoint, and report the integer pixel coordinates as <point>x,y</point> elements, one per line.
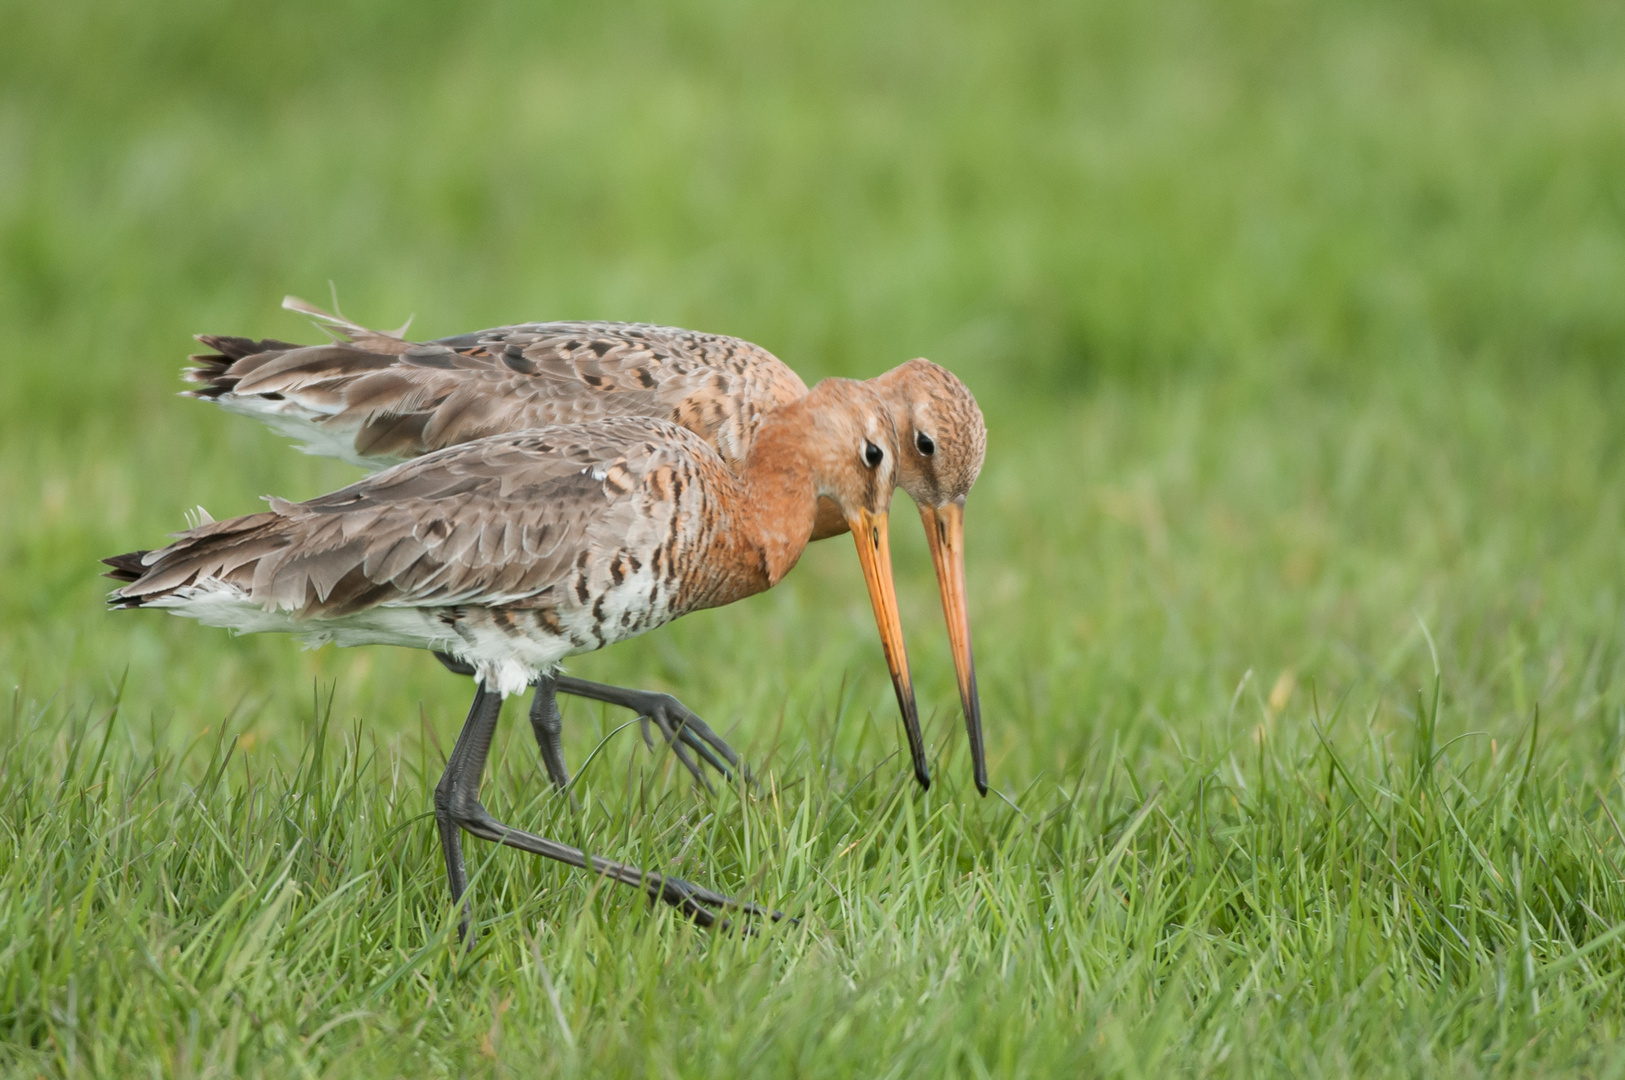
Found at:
<point>781,490</point>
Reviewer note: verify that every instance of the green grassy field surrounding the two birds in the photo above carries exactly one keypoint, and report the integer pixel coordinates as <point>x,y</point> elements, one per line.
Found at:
<point>1296,568</point>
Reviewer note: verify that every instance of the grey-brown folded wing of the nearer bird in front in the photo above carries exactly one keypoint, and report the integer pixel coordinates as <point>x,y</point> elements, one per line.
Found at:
<point>495,522</point>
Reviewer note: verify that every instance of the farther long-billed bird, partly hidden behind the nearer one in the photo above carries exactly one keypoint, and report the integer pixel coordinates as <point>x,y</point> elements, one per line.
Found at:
<point>376,400</point>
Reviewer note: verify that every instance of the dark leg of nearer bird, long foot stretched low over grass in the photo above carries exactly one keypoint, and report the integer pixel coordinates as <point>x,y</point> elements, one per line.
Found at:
<point>457,806</point>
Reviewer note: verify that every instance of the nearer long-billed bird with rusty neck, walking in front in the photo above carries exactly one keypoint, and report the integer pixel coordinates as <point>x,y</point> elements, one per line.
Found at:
<point>516,551</point>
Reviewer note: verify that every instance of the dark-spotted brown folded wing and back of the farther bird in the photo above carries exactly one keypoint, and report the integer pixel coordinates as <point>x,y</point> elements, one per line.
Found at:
<point>396,400</point>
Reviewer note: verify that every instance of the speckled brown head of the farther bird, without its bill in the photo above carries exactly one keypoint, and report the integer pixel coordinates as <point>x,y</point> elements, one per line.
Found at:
<point>940,428</point>
